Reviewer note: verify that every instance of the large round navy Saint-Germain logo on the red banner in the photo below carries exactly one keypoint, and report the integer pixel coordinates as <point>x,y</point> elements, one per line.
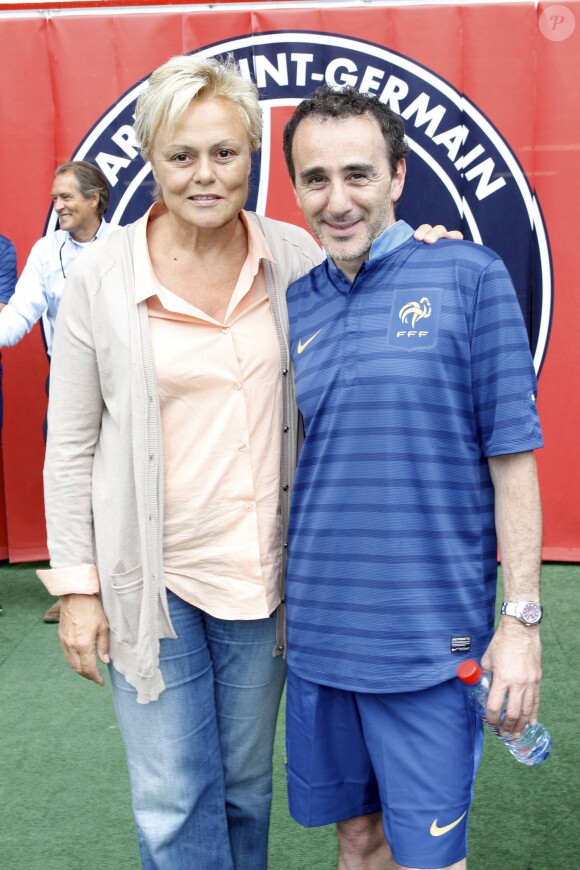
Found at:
<point>461,172</point>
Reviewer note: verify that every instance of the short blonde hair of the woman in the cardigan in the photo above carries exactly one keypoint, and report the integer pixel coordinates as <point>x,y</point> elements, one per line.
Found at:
<point>184,78</point>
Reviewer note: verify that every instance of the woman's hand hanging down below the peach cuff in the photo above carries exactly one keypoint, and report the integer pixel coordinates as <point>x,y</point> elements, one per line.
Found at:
<point>84,635</point>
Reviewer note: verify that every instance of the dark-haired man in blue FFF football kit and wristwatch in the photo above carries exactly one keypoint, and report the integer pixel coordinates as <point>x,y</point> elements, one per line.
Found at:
<point>415,382</point>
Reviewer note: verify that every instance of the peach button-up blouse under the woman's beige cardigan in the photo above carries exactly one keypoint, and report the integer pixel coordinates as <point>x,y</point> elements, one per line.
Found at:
<point>221,412</point>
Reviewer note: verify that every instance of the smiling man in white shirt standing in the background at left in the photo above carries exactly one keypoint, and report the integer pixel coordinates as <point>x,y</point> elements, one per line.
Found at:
<point>80,197</point>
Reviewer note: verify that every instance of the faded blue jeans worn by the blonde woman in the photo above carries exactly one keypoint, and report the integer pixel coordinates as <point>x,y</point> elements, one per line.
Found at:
<point>200,757</point>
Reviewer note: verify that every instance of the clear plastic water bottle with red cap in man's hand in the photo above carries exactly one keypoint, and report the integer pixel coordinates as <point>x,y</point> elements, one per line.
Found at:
<point>533,746</point>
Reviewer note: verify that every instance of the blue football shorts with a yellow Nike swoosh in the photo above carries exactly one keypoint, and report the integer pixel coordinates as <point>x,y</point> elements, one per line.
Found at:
<point>412,756</point>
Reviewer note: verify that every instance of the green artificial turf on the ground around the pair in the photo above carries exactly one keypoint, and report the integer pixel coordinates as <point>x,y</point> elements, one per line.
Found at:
<point>64,792</point>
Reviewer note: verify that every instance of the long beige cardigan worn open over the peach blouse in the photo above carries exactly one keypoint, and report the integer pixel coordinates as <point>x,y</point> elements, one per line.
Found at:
<point>103,475</point>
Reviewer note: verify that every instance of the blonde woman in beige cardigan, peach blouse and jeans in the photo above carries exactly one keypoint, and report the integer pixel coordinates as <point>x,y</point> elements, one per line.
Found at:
<point>172,445</point>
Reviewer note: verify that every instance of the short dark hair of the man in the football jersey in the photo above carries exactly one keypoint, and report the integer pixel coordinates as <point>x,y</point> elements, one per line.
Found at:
<point>327,102</point>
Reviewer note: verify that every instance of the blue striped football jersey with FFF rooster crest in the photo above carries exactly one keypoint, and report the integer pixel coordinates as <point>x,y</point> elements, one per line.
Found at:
<point>408,378</point>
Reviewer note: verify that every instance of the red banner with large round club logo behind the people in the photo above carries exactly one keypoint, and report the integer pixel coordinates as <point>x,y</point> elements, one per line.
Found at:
<point>489,96</point>
